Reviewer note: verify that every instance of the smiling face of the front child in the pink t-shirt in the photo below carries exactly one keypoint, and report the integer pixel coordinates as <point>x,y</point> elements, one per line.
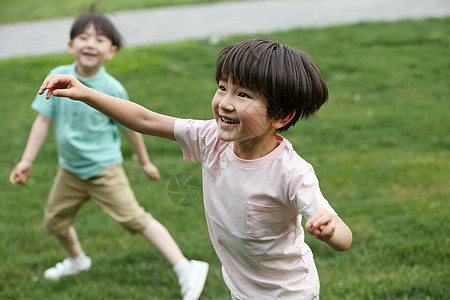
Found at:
<point>241,116</point>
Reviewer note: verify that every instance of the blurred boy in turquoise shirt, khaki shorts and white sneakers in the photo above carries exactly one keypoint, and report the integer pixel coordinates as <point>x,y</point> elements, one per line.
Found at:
<point>90,160</point>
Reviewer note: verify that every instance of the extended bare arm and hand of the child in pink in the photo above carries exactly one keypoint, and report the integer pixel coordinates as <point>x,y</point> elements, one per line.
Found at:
<point>127,113</point>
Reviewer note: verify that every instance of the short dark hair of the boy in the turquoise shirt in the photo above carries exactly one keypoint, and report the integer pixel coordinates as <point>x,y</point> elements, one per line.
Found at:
<point>102,25</point>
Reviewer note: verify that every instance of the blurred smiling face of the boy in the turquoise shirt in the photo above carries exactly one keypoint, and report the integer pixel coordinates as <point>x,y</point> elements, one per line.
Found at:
<point>91,50</point>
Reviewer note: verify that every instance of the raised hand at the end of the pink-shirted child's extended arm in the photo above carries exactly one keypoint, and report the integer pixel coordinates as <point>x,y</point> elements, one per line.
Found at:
<point>62,86</point>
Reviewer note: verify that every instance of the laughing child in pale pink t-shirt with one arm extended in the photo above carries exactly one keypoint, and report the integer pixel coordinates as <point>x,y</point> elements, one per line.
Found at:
<point>256,187</point>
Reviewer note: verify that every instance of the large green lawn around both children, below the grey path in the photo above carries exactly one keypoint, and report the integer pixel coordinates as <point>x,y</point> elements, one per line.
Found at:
<point>380,148</point>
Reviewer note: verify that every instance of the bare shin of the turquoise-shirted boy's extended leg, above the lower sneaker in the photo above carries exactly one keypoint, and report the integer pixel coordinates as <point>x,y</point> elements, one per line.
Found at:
<point>158,235</point>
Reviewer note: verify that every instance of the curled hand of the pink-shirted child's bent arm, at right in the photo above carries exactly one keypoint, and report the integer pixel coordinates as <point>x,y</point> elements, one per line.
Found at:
<point>322,225</point>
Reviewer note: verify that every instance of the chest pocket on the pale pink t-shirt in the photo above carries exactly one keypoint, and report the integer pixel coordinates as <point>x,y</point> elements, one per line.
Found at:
<point>266,220</point>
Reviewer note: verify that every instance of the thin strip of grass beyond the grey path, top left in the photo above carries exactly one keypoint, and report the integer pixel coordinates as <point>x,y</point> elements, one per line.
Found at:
<point>26,10</point>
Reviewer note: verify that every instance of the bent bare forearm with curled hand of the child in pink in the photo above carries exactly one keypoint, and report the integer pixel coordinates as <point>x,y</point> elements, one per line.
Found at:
<point>330,229</point>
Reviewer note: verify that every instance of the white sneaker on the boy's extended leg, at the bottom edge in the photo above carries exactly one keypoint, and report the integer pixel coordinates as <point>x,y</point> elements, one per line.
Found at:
<point>193,282</point>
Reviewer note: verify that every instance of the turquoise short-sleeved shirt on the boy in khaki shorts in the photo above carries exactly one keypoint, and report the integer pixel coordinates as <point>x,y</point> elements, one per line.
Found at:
<point>87,141</point>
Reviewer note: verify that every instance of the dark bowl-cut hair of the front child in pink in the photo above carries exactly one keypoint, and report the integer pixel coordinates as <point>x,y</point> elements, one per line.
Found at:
<point>286,77</point>
